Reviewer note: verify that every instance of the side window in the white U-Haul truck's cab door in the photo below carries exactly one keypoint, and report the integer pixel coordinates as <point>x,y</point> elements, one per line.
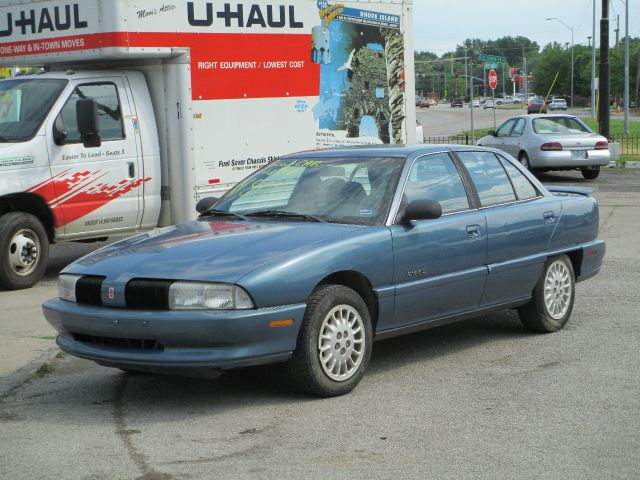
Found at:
<point>109,112</point>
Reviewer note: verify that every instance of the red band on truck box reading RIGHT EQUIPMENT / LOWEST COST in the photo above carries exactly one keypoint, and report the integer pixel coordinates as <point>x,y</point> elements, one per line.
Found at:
<point>223,65</point>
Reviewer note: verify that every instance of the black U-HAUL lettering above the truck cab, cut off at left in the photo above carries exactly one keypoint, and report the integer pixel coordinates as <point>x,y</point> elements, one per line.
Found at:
<point>32,21</point>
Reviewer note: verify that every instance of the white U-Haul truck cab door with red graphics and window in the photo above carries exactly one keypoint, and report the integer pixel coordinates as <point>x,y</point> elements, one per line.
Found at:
<point>98,190</point>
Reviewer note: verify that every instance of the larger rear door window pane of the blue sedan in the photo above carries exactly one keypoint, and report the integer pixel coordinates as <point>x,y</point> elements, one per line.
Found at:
<point>489,177</point>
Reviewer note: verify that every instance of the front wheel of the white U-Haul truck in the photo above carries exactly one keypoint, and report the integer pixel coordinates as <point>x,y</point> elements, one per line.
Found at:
<point>24,250</point>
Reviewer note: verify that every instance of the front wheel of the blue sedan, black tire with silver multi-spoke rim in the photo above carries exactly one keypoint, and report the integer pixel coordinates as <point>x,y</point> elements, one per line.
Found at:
<point>306,367</point>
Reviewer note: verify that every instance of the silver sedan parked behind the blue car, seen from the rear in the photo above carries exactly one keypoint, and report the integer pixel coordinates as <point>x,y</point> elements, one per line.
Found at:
<point>551,142</point>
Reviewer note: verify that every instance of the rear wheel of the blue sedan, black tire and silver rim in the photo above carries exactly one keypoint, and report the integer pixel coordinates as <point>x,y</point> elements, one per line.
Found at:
<point>536,315</point>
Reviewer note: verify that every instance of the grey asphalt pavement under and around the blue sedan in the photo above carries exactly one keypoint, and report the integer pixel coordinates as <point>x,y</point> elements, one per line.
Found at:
<point>481,399</point>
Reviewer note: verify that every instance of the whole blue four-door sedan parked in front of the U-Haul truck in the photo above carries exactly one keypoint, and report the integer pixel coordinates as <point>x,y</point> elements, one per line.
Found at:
<point>309,260</point>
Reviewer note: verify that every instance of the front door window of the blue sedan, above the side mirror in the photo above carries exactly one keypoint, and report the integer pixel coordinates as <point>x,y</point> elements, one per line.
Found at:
<point>435,177</point>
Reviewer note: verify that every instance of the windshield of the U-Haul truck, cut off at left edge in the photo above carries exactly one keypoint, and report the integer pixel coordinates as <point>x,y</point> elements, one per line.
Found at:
<point>24,104</point>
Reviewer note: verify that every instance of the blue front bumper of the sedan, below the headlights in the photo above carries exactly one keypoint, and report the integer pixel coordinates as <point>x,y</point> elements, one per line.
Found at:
<point>182,339</point>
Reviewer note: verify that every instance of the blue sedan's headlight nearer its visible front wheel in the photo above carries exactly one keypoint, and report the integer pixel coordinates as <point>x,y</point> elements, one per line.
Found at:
<point>208,296</point>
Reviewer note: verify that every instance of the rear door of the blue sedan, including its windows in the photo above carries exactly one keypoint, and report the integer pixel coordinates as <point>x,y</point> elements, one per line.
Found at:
<point>520,222</point>
